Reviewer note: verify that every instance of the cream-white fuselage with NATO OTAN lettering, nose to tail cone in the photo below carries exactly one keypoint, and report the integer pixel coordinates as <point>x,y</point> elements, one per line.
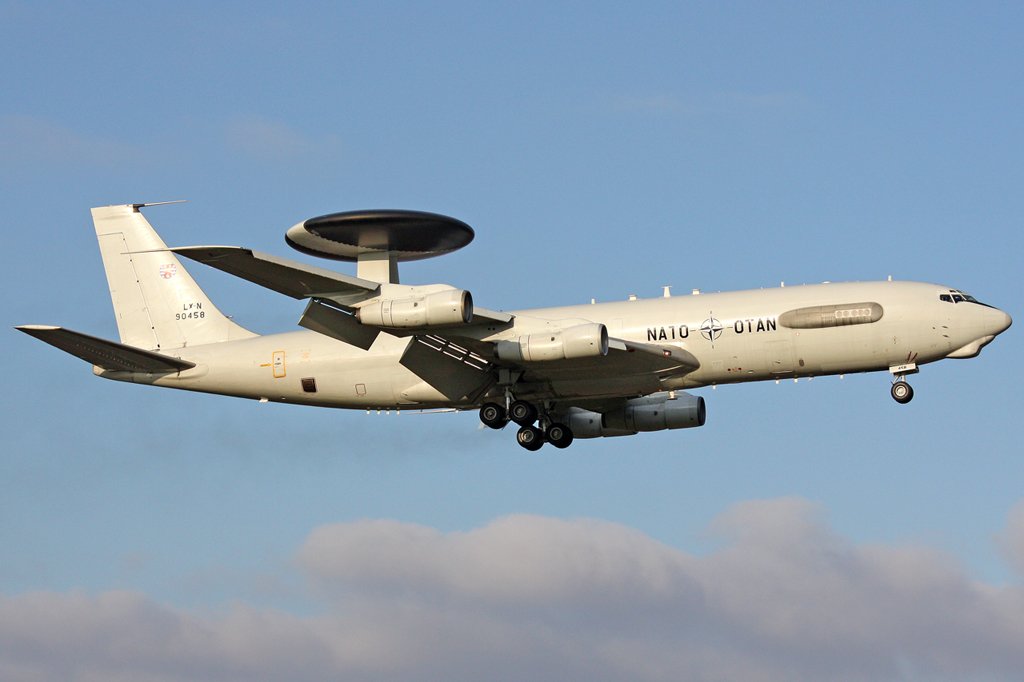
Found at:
<point>737,337</point>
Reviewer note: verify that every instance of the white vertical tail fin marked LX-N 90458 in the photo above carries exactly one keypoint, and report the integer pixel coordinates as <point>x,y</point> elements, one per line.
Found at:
<point>157,304</point>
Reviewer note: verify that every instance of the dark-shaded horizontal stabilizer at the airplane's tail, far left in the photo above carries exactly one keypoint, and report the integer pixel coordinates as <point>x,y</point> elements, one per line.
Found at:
<point>104,354</point>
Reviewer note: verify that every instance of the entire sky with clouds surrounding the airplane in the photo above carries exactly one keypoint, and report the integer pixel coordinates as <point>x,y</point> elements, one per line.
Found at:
<point>600,151</point>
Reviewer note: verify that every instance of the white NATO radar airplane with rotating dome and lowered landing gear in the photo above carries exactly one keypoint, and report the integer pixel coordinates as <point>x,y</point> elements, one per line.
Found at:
<point>560,374</point>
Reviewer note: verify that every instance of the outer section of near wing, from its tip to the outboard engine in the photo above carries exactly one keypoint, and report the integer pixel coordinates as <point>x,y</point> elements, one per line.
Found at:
<point>283,276</point>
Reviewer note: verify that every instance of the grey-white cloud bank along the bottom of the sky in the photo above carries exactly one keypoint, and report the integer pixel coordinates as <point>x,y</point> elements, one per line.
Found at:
<point>530,598</point>
